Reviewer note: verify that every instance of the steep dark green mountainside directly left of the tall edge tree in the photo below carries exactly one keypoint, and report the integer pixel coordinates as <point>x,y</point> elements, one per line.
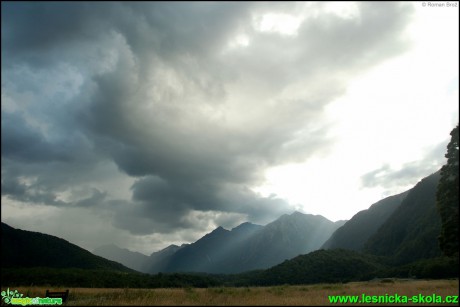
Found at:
<point>412,231</point>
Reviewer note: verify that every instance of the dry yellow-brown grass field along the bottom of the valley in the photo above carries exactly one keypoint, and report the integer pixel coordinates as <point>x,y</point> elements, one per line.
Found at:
<point>279,295</point>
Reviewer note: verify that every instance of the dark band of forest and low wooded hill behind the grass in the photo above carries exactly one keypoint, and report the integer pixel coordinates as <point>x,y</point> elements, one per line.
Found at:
<point>323,266</point>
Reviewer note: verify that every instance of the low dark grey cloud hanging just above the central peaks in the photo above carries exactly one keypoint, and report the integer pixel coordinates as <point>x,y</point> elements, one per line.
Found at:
<point>168,203</point>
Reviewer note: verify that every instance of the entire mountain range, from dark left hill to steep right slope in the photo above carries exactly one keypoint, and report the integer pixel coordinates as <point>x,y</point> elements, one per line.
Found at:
<point>399,231</point>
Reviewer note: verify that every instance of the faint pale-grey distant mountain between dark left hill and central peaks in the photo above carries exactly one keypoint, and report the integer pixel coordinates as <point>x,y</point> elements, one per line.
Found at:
<point>133,260</point>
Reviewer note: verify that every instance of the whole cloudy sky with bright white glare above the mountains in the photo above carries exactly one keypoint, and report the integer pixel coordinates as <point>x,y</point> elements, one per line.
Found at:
<point>145,124</point>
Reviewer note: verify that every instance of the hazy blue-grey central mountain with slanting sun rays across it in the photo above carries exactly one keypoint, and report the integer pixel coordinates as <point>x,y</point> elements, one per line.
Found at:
<point>250,246</point>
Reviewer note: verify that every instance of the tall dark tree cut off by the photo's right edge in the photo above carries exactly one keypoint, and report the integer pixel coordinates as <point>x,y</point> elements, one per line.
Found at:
<point>447,198</point>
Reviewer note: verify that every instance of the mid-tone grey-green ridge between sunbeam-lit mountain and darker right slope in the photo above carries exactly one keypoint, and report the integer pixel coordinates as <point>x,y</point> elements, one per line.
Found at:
<point>354,233</point>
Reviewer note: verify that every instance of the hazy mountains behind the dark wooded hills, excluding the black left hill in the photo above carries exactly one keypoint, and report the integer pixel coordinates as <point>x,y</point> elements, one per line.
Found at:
<point>403,227</point>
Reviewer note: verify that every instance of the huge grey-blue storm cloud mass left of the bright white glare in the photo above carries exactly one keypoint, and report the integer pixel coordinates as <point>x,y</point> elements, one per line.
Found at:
<point>164,98</point>
